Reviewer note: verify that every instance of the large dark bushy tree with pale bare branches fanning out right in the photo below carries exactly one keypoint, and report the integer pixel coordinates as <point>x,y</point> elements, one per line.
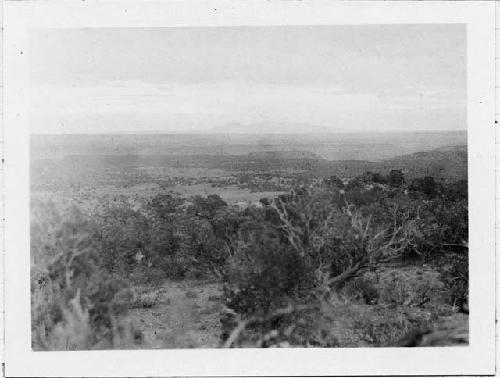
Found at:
<point>329,245</point>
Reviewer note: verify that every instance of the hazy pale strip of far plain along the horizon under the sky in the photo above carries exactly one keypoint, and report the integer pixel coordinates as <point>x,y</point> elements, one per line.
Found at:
<point>347,146</point>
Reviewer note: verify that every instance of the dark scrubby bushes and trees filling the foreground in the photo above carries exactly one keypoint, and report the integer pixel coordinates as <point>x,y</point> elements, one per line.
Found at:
<point>377,260</point>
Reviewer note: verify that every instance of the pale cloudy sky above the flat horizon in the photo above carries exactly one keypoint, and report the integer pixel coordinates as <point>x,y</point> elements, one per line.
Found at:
<point>351,78</point>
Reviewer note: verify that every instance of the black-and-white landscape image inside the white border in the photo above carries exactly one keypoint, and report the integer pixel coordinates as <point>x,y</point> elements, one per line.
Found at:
<point>249,186</point>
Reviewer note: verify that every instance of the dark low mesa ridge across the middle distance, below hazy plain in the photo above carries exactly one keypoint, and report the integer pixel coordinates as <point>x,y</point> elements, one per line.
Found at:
<point>449,163</point>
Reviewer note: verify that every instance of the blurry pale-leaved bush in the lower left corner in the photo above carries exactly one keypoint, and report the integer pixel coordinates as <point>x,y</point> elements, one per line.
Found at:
<point>75,303</point>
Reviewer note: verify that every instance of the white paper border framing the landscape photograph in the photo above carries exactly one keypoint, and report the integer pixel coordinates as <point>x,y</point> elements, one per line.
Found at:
<point>476,359</point>
